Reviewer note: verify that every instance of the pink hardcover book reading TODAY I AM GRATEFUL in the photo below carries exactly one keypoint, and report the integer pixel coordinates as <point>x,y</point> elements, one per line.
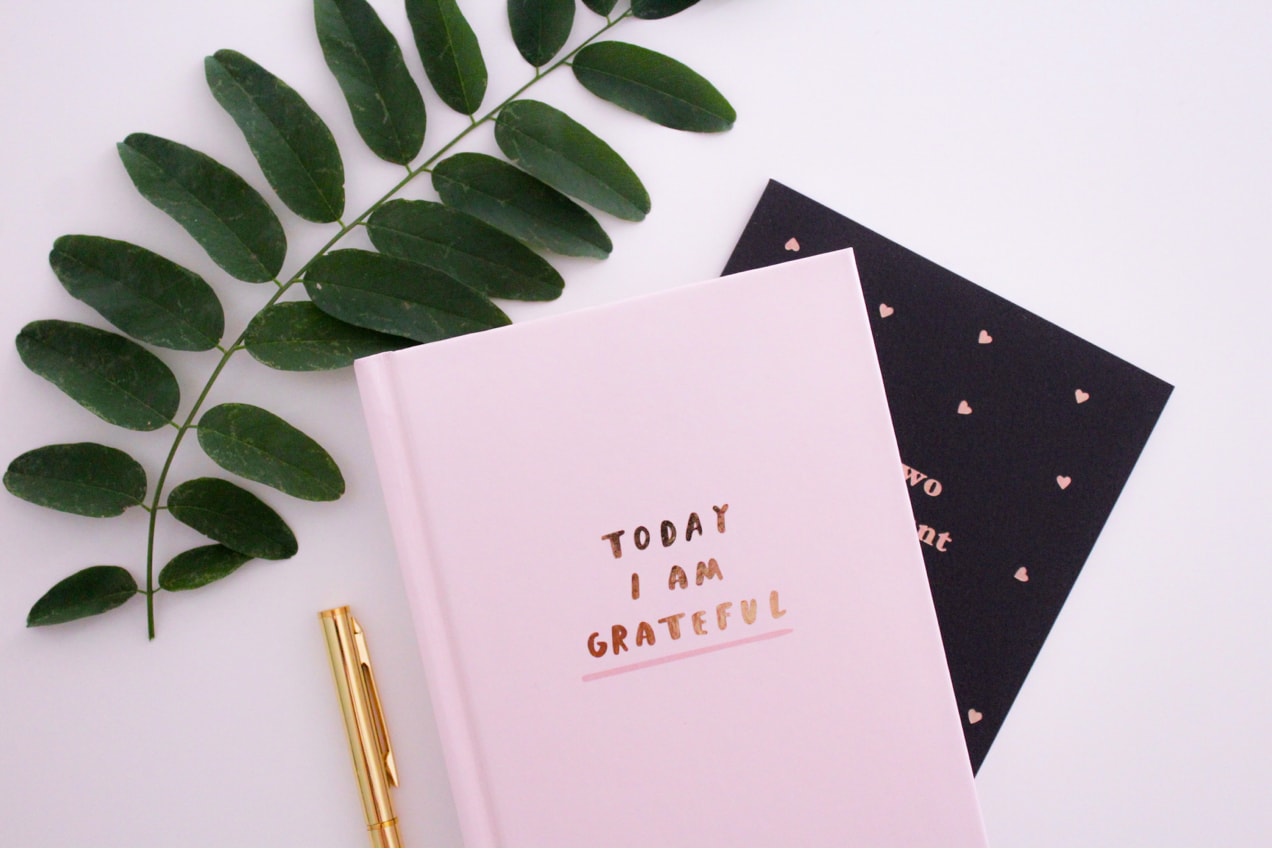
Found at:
<point>666,578</point>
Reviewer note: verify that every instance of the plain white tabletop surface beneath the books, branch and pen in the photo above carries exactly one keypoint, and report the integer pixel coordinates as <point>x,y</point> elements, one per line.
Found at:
<point>1105,167</point>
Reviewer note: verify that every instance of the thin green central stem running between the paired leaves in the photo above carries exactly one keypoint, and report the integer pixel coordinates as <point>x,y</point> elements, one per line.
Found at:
<point>283,287</point>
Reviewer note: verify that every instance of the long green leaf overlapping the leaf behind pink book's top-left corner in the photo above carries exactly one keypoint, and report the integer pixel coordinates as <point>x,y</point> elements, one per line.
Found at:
<point>397,297</point>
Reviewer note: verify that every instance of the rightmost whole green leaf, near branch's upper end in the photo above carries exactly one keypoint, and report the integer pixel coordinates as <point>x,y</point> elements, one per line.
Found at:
<point>653,86</point>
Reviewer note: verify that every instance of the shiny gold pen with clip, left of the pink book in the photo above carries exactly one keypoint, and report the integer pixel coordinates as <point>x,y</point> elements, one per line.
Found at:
<point>364,720</point>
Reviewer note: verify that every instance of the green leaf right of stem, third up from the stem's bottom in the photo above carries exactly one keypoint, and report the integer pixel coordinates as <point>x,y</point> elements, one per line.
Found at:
<point>259,446</point>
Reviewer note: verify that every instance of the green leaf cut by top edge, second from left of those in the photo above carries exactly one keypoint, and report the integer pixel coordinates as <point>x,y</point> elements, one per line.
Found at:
<point>450,50</point>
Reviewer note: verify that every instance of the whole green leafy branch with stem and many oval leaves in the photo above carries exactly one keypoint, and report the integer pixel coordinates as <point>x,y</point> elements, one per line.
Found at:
<point>436,268</point>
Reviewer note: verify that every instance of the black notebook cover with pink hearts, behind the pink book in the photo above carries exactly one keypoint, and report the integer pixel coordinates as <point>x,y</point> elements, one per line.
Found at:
<point>1016,437</point>
